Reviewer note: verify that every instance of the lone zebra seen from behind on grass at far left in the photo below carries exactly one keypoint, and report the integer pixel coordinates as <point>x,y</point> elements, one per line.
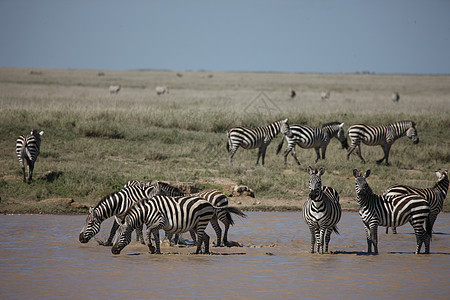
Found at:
<point>27,150</point>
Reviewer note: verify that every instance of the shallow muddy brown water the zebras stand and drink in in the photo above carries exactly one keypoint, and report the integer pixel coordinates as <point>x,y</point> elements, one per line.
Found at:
<point>41,257</point>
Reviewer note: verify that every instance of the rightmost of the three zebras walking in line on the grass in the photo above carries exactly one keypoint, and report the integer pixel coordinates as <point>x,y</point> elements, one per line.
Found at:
<point>383,135</point>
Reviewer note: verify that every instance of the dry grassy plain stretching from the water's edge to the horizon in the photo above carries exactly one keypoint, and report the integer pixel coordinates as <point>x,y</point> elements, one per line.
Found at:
<point>94,141</point>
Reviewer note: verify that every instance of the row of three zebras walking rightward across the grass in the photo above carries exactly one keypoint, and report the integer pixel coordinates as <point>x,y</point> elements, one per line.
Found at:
<point>319,137</point>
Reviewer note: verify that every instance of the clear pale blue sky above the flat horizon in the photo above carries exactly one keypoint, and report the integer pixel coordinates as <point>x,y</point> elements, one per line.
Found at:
<point>383,36</point>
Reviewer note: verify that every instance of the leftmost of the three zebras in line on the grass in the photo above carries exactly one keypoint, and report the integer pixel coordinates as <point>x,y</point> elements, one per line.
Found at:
<point>251,138</point>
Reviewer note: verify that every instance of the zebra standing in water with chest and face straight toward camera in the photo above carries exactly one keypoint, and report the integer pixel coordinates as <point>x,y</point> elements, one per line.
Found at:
<point>321,211</point>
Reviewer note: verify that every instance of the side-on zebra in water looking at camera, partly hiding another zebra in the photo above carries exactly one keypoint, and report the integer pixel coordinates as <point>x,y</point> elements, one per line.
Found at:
<point>391,211</point>
